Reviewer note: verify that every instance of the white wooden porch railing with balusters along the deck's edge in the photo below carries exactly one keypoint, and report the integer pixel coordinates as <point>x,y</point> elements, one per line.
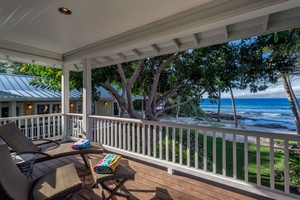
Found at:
<point>218,154</point>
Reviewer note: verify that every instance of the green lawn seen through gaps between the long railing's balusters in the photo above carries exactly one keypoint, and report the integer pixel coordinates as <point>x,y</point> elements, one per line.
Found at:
<point>252,166</point>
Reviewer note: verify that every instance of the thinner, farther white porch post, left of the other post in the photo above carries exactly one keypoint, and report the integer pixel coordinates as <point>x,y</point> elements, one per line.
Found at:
<point>65,100</point>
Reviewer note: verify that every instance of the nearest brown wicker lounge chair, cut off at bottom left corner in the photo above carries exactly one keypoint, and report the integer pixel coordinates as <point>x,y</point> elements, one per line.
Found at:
<point>62,182</point>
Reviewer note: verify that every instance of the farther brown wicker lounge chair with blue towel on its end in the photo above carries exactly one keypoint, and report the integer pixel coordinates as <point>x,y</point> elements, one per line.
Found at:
<point>18,142</point>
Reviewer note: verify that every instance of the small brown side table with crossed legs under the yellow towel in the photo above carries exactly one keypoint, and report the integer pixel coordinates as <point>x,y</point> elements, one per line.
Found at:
<point>119,177</point>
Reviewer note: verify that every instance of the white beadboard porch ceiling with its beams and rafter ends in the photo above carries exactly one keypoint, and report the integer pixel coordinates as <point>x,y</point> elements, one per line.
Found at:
<point>116,31</point>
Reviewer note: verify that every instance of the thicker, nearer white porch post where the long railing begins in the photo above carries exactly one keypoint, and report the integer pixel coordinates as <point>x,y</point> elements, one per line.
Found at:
<point>87,98</point>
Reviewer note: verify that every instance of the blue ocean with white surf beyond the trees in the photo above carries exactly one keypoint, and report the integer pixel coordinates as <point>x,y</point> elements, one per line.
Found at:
<point>257,111</point>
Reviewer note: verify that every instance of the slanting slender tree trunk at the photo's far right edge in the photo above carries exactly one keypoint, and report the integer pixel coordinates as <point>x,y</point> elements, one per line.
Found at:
<point>291,102</point>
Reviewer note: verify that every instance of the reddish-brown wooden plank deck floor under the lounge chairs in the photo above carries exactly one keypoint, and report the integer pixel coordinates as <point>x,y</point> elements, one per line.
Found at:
<point>150,183</point>
